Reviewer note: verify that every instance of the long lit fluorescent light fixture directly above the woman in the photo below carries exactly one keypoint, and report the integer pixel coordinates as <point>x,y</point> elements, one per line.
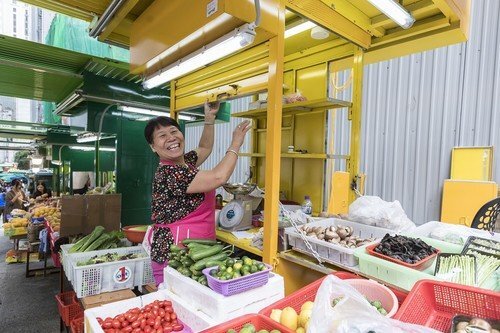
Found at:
<point>220,48</point>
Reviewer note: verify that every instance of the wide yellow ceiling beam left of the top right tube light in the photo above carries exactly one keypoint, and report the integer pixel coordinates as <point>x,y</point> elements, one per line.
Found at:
<point>326,16</point>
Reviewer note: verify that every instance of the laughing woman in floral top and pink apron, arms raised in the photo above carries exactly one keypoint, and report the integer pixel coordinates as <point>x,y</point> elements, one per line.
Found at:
<point>183,198</point>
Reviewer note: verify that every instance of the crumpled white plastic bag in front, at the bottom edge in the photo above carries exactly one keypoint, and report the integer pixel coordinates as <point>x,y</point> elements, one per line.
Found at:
<point>352,314</point>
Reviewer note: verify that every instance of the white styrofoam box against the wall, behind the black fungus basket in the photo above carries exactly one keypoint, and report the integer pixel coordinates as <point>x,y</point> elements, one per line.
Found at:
<point>461,231</point>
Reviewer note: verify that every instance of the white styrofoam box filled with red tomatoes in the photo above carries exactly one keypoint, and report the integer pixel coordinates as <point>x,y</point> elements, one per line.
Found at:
<point>195,320</point>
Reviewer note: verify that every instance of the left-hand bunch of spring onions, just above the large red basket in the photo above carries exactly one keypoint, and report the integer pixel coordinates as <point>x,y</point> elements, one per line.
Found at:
<point>458,269</point>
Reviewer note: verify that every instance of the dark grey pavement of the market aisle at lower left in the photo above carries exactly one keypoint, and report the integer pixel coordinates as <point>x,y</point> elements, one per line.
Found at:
<point>27,305</point>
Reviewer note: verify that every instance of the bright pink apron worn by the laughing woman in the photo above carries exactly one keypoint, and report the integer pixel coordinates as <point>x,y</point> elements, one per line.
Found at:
<point>197,224</point>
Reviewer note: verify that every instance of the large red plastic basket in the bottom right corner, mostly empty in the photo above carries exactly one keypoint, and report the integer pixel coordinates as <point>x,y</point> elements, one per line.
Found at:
<point>434,303</point>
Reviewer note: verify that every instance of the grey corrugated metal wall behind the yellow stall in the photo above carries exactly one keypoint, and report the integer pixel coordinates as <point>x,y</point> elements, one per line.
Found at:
<point>417,108</point>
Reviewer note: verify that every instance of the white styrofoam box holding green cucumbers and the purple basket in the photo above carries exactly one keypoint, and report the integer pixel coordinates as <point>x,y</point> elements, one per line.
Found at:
<point>221,308</point>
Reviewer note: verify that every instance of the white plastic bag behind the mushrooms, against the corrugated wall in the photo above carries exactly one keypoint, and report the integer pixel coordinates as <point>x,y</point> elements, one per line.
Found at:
<point>374,211</point>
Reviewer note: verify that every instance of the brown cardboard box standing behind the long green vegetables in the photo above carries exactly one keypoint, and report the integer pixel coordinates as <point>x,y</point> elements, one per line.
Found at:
<point>82,213</point>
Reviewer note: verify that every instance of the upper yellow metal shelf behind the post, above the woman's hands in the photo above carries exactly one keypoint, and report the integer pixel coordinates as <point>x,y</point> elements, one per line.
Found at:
<point>299,107</point>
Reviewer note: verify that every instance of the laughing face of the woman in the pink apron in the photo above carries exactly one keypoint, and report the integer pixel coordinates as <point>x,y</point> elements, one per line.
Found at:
<point>168,143</point>
